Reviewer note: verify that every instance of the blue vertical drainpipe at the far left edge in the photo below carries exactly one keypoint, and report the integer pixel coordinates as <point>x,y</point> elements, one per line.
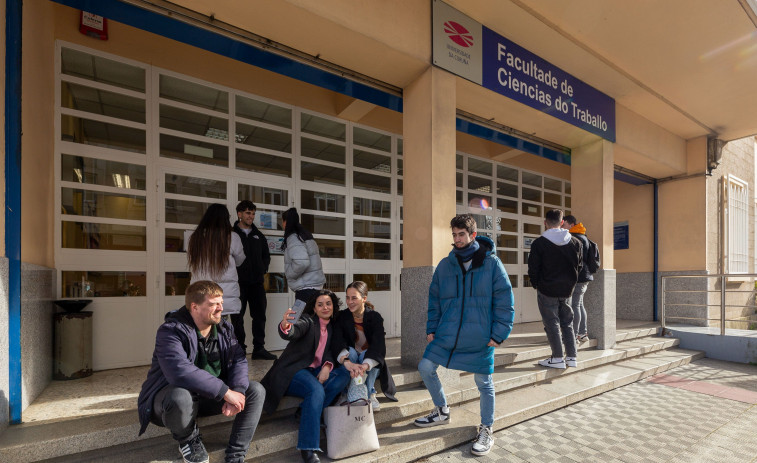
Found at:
<point>13,17</point>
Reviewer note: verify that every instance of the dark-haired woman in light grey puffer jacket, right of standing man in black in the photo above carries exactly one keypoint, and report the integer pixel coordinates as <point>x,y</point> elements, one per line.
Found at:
<point>302,261</point>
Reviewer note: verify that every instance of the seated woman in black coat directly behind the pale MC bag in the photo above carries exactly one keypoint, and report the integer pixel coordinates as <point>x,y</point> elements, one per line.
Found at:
<point>360,342</point>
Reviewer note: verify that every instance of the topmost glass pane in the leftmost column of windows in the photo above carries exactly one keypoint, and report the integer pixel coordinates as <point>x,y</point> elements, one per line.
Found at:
<point>98,69</point>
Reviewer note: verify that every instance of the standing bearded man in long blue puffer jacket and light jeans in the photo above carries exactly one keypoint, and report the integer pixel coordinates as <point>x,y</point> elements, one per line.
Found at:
<point>470,312</point>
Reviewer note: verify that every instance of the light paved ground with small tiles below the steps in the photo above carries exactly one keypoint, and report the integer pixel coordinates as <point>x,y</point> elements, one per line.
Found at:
<point>702,412</point>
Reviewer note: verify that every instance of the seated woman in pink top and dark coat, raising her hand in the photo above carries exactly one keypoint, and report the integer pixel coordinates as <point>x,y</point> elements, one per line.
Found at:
<point>307,369</point>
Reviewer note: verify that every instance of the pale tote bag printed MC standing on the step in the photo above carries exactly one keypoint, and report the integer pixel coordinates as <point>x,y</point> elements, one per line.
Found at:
<point>350,429</point>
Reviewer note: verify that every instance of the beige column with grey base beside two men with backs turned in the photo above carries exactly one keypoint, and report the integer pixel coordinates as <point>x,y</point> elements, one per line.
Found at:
<point>592,197</point>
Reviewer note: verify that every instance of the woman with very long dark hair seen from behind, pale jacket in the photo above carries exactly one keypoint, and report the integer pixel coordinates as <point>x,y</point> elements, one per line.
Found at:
<point>214,253</point>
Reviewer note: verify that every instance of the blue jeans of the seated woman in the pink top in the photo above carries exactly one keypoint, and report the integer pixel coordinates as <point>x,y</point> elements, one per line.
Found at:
<point>317,397</point>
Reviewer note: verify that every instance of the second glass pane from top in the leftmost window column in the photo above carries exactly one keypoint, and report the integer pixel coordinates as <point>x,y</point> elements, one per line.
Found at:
<point>102,102</point>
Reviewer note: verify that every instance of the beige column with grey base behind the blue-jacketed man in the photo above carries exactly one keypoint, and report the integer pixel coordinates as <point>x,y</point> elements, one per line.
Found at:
<point>429,197</point>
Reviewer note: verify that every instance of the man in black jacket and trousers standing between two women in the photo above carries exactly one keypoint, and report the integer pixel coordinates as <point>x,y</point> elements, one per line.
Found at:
<point>251,273</point>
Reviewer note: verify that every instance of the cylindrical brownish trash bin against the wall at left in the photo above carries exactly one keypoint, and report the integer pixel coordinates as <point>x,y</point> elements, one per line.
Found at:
<point>73,345</point>
